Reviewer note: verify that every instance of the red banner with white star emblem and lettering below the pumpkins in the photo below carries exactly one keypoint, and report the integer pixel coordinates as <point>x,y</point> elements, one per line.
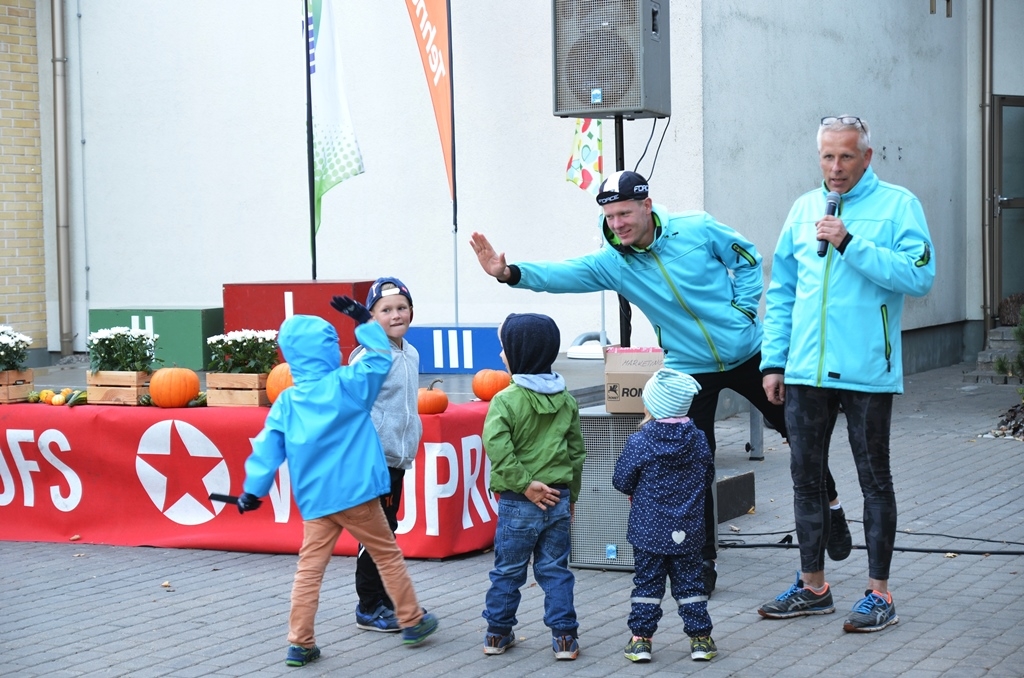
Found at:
<point>143,477</point>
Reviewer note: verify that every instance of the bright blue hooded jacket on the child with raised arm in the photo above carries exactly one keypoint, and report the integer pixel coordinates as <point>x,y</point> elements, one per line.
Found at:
<point>322,425</point>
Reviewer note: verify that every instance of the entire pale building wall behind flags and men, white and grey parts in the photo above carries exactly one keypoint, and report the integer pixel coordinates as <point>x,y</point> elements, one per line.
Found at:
<point>193,173</point>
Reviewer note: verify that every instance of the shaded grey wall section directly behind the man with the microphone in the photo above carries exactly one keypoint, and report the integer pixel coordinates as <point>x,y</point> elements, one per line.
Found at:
<point>773,69</point>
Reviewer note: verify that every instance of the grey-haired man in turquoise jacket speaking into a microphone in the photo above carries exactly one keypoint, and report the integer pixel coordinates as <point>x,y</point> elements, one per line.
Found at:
<point>833,340</point>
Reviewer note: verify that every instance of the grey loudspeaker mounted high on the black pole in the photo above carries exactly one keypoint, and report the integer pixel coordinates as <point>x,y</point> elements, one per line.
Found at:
<point>612,59</point>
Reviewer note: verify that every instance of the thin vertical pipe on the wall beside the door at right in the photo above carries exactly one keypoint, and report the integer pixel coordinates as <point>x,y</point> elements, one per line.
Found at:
<point>989,268</point>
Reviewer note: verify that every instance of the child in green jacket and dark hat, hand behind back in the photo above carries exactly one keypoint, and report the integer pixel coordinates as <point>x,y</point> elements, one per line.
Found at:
<point>533,439</point>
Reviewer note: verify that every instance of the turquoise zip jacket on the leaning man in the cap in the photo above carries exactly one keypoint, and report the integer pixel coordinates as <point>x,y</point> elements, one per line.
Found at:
<point>705,319</point>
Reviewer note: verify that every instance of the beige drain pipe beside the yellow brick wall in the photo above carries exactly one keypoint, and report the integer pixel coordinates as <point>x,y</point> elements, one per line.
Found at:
<point>60,62</point>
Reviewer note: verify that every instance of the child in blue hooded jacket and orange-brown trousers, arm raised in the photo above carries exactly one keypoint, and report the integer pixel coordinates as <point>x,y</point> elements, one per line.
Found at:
<point>322,428</point>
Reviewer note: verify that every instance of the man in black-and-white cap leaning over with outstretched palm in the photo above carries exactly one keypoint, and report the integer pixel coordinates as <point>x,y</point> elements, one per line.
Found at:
<point>698,281</point>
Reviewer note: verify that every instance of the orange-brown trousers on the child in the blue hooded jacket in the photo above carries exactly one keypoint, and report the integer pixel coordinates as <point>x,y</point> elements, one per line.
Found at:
<point>367,524</point>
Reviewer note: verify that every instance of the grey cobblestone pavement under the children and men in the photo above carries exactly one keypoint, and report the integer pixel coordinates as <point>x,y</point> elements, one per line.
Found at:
<point>75,610</point>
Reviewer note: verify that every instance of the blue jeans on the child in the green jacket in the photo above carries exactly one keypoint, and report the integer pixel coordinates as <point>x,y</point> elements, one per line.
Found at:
<point>524,531</point>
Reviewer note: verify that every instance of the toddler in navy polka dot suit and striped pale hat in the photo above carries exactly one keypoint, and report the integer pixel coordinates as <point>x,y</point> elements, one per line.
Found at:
<point>665,469</point>
